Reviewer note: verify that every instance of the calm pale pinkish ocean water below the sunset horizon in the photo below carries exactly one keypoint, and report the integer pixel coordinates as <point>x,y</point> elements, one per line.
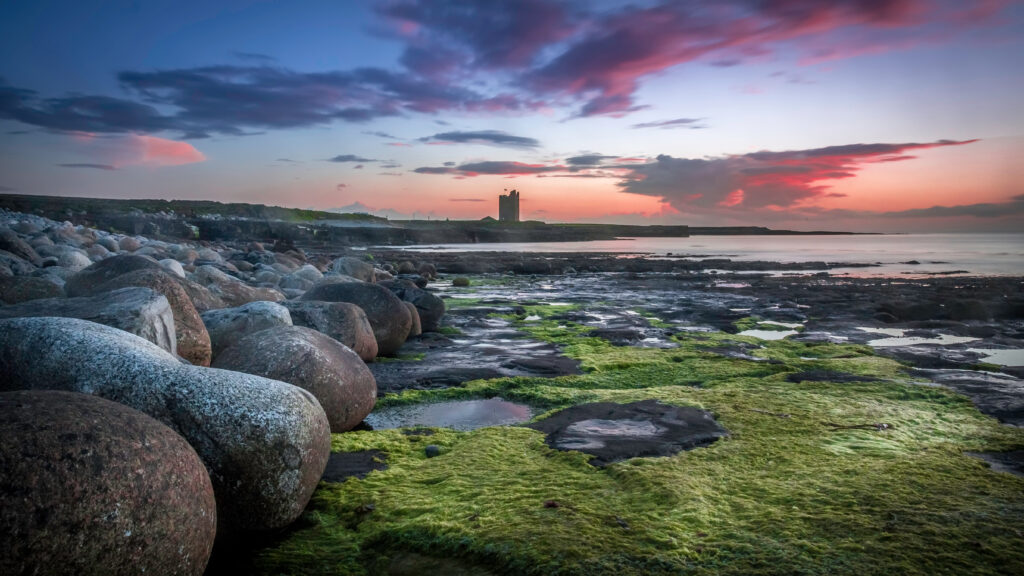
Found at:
<point>986,255</point>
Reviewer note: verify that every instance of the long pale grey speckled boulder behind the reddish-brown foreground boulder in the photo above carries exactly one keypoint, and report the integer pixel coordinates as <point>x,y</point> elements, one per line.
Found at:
<point>265,443</point>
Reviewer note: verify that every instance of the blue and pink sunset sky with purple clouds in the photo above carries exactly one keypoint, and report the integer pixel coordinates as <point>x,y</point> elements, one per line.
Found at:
<point>857,115</point>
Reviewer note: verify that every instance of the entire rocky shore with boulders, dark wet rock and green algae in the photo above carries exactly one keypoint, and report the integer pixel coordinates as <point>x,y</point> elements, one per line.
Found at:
<point>679,417</point>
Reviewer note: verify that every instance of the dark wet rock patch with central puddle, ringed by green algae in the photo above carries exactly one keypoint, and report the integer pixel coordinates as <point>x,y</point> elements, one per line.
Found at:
<point>619,432</point>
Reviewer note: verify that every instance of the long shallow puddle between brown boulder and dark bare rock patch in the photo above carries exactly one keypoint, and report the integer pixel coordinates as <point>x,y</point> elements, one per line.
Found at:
<point>460,416</point>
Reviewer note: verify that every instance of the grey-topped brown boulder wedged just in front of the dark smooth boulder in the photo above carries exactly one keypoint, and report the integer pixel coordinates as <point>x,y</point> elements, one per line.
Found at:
<point>345,322</point>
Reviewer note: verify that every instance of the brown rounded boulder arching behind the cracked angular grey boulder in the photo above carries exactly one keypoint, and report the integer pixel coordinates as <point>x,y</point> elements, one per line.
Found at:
<point>193,340</point>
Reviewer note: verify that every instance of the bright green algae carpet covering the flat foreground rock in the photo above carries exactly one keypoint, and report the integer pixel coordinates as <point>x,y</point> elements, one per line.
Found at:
<point>816,477</point>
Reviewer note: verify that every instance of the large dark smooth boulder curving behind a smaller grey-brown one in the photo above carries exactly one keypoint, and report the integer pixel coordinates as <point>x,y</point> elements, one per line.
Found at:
<point>389,317</point>
